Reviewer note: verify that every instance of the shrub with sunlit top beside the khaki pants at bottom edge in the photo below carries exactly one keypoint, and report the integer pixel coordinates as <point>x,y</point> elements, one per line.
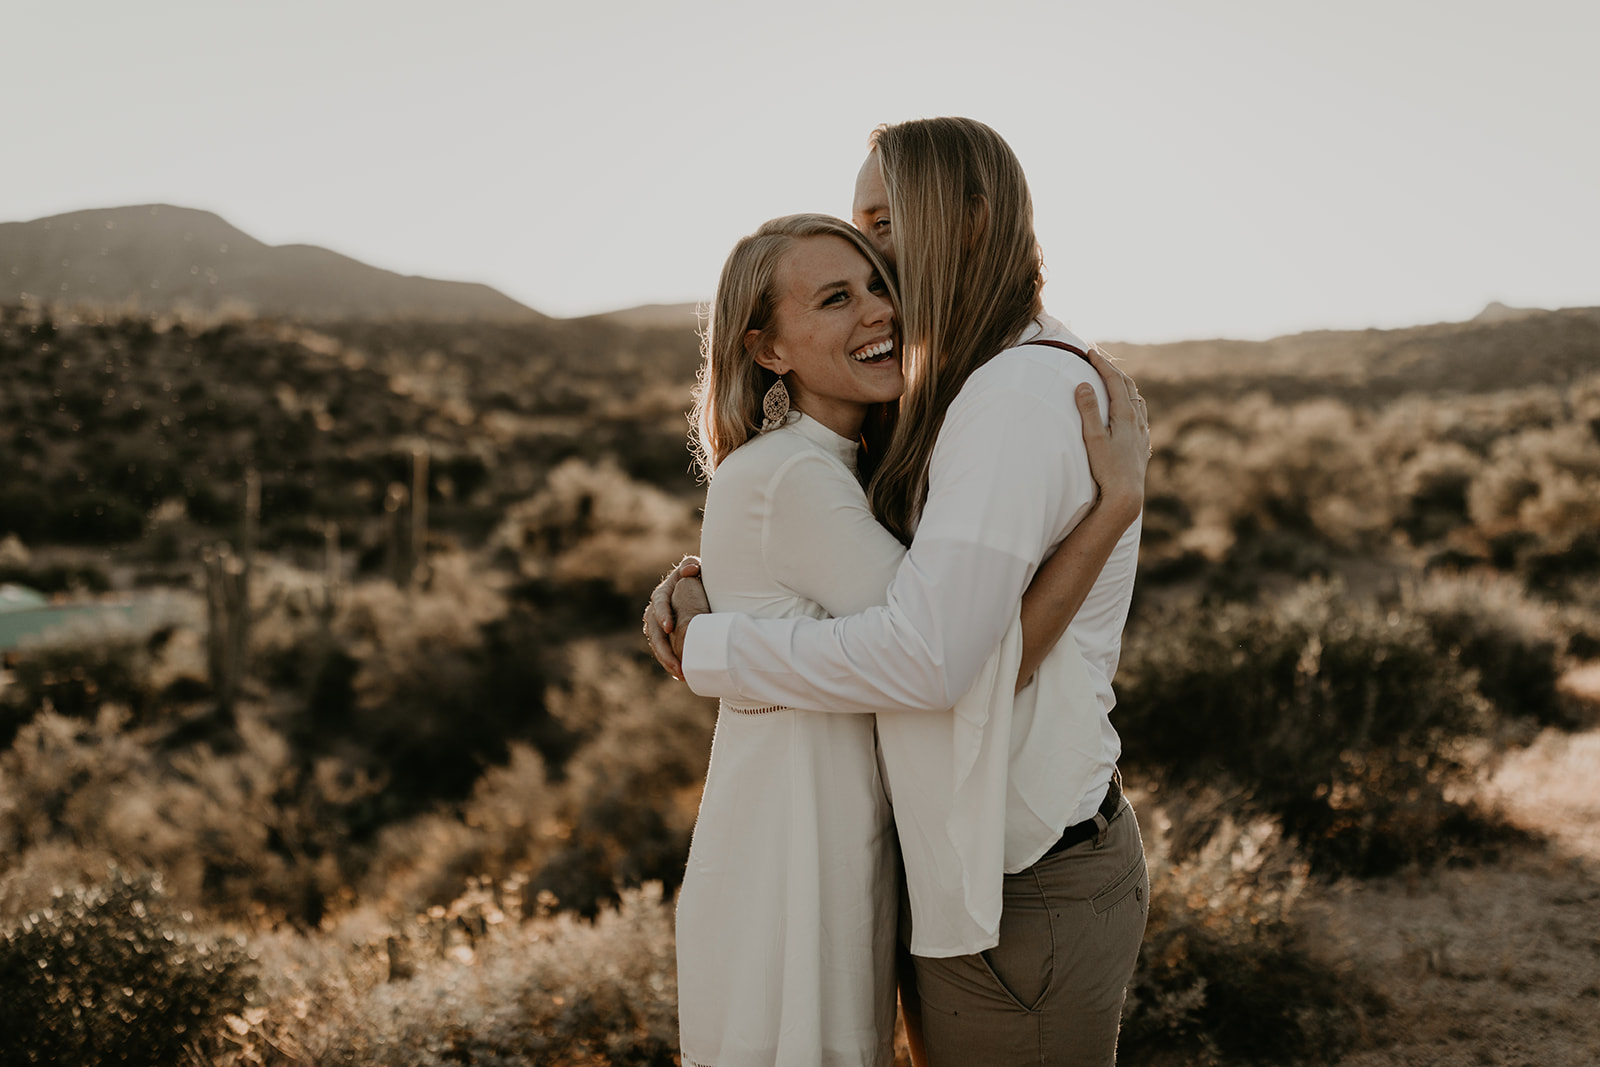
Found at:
<point>1223,977</point>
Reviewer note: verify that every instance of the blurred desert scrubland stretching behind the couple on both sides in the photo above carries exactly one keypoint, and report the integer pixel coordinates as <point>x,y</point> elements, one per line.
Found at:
<point>454,804</point>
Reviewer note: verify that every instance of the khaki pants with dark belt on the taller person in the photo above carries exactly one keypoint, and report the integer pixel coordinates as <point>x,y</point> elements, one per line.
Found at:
<point>1052,991</point>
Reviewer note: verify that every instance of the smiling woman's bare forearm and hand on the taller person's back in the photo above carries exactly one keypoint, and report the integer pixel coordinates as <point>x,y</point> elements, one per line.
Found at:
<point>1119,454</point>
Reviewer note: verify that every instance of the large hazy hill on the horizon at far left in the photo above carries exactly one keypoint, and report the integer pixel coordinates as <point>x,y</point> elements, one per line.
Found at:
<point>159,258</point>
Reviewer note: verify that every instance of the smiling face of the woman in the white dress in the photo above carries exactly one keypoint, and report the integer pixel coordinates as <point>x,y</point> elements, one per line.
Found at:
<point>833,334</point>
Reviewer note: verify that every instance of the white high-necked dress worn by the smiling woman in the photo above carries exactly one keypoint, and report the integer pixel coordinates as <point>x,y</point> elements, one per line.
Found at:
<point>788,911</point>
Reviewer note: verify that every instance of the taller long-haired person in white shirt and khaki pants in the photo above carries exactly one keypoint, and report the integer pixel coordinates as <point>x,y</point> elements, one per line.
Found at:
<point>1025,869</point>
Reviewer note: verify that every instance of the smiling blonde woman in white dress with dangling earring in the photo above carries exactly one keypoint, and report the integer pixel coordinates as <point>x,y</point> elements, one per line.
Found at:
<point>788,911</point>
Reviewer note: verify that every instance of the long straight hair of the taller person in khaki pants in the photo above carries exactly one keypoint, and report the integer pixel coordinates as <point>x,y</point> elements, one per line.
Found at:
<point>970,279</point>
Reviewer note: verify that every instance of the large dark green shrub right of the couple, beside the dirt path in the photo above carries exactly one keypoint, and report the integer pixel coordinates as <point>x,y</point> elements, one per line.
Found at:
<point>1338,717</point>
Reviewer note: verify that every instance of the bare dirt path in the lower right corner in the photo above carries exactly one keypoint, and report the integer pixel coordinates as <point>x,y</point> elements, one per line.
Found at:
<point>1495,965</point>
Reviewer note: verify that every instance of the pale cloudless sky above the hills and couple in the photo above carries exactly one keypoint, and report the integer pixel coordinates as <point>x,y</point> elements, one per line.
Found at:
<point>1201,169</point>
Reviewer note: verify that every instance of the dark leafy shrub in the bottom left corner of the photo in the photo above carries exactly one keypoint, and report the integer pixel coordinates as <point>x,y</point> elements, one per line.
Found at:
<point>114,975</point>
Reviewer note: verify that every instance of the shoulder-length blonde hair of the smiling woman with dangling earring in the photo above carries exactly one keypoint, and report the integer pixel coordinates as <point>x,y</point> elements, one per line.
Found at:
<point>732,385</point>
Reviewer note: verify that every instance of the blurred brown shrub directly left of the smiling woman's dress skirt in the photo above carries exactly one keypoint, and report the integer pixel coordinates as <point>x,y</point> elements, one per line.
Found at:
<point>617,813</point>
